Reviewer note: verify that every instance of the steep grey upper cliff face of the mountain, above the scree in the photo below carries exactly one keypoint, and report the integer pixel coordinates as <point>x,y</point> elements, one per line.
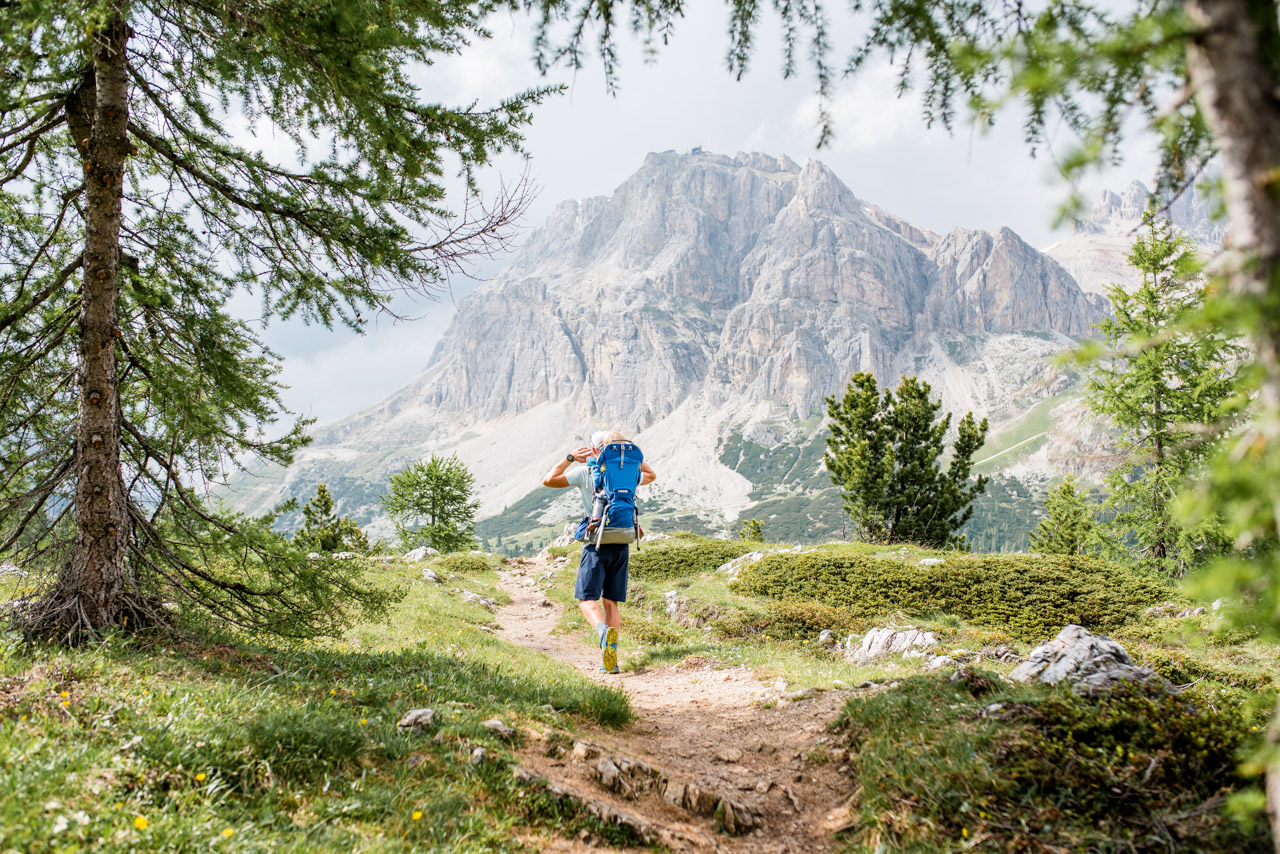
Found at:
<point>746,276</point>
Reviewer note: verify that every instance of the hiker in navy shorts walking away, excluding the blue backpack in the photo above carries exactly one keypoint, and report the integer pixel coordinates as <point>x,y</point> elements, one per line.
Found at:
<point>602,573</point>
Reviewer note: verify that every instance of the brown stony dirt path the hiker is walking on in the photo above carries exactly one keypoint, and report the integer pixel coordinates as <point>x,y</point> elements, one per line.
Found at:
<point>710,765</point>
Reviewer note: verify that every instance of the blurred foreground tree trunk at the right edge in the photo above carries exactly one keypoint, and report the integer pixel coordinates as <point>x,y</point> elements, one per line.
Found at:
<point>1235,68</point>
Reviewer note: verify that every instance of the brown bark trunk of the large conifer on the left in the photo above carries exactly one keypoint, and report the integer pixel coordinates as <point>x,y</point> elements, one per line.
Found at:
<point>93,588</point>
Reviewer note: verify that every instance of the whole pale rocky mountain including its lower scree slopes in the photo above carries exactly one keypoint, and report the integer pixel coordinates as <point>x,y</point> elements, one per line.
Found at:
<point>711,296</point>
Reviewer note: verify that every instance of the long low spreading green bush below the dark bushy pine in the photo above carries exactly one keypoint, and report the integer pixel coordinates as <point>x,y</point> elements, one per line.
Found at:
<point>1032,597</point>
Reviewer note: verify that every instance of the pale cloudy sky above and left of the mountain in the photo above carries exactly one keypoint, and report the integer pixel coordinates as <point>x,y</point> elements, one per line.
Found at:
<point>586,143</point>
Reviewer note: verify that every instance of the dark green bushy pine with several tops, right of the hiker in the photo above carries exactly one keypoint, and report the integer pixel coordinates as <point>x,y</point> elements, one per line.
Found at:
<point>886,456</point>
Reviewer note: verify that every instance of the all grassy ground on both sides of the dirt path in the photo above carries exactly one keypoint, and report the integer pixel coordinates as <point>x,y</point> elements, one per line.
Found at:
<point>300,752</point>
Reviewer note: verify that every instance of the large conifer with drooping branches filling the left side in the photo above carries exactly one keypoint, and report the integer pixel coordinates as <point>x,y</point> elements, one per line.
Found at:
<point>131,216</point>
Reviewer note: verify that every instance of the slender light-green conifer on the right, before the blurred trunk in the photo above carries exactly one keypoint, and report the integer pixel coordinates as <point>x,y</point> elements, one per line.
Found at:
<point>1164,391</point>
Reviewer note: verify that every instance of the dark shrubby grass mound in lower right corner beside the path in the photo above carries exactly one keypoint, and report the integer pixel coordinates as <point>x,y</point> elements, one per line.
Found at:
<point>971,764</point>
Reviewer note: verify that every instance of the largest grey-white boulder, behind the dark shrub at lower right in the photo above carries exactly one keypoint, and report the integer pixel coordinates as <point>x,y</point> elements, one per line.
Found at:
<point>1087,661</point>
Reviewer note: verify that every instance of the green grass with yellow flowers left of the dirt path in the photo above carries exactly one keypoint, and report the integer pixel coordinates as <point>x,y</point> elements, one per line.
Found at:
<point>290,748</point>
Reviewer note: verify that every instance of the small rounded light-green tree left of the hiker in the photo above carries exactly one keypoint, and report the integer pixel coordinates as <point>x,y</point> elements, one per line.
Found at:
<point>433,505</point>
